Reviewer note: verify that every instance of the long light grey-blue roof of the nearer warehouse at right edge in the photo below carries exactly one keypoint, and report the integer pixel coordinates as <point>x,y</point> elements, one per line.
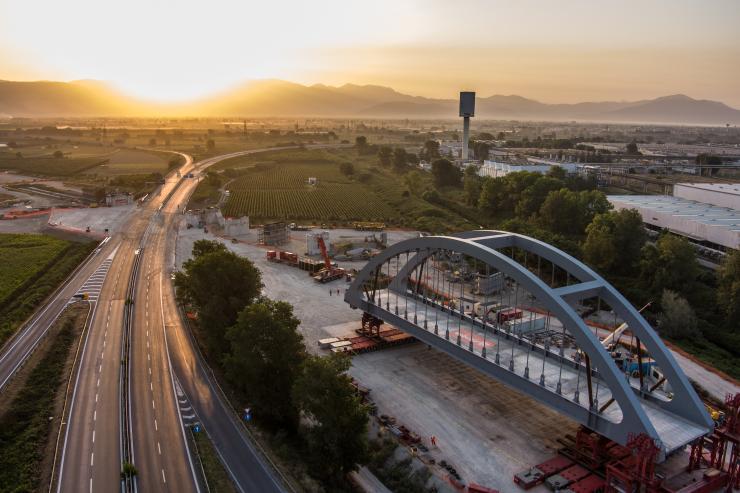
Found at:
<point>711,215</point>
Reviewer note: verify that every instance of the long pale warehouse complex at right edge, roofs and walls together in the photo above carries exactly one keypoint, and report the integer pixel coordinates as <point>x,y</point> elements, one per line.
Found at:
<point>706,213</point>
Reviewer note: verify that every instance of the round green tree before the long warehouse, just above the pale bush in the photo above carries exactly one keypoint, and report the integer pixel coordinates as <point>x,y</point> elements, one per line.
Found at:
<point>670,264</point>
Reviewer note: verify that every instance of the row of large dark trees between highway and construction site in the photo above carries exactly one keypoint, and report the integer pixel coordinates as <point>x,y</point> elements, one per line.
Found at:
<point>256,343</point>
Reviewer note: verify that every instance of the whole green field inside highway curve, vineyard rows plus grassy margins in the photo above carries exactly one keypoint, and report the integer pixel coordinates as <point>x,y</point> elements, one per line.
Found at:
<point>274,185</point>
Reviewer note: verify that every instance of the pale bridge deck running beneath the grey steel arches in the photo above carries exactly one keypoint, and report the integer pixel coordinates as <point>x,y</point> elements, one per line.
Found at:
<point>548,366</point>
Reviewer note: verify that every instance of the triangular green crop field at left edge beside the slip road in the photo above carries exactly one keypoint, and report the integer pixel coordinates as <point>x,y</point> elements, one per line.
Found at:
<point>31,267</point>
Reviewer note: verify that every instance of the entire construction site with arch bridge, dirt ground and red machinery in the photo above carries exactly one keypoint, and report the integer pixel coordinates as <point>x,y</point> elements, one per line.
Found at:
<point>486,380</point>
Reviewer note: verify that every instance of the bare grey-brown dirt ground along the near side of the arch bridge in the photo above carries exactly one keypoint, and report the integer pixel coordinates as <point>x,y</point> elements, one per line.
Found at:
<point>487,431</point>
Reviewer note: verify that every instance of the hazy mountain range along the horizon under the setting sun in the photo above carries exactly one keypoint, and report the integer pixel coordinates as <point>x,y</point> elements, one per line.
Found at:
<point>279,98</point>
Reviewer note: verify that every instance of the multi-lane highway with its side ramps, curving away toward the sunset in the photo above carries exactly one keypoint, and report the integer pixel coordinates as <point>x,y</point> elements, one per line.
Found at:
<point>128,280</point>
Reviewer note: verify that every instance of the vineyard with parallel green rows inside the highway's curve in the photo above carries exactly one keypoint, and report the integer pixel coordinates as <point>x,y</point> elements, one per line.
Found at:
<point>282,191</point>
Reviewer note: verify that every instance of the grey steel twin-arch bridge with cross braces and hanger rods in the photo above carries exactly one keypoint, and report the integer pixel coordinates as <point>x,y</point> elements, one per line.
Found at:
<point>673,423</point>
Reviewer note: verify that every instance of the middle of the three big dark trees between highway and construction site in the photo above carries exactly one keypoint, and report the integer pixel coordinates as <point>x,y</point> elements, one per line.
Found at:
<point>265,358</point>
